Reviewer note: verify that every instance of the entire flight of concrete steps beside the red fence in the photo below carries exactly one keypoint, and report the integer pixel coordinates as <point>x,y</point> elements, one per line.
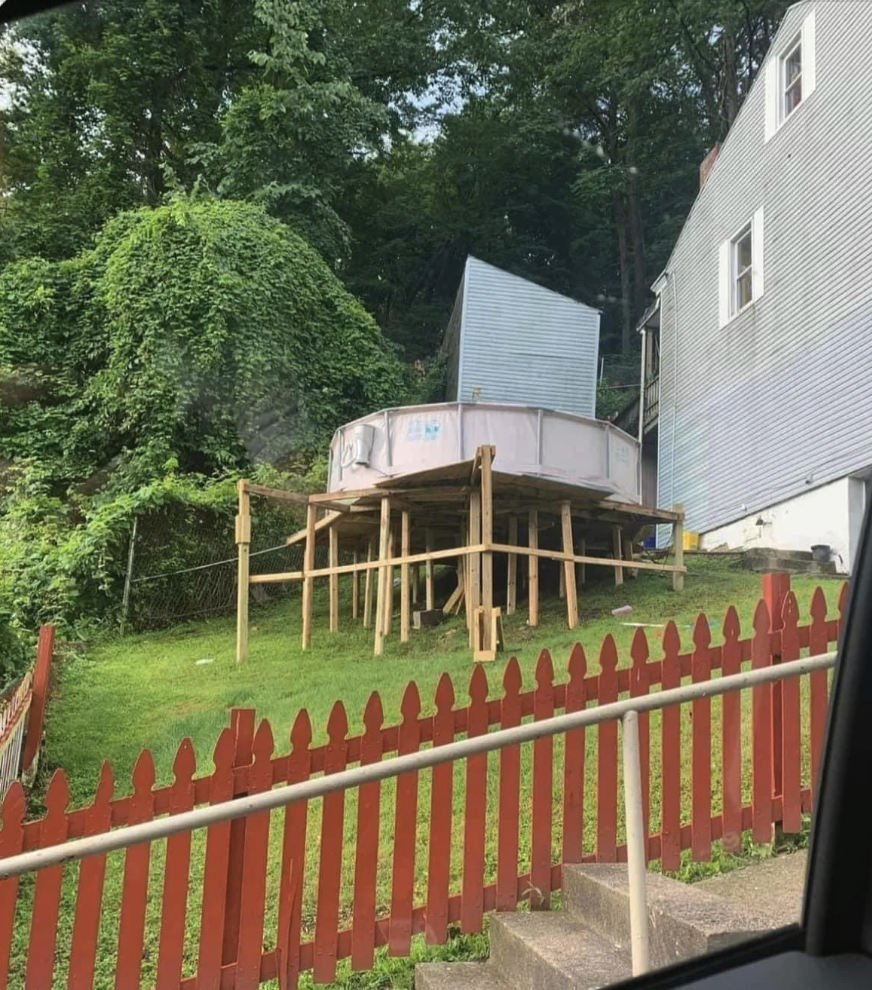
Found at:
<point>587,944</point>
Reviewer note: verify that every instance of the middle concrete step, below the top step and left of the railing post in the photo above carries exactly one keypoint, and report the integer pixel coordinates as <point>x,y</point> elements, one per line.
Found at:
<point>553,951</point>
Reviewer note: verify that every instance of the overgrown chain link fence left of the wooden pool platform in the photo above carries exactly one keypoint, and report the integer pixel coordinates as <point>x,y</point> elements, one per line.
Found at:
<point>183,565</point>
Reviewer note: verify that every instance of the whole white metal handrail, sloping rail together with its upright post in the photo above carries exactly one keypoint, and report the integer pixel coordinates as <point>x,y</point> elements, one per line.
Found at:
<point>626,712</point>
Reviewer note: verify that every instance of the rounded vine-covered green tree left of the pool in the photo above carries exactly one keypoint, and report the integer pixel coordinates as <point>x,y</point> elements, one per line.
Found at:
<point>202,332</point>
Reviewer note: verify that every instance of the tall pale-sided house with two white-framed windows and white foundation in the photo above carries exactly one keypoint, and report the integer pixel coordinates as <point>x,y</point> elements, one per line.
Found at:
<point>765,415</point>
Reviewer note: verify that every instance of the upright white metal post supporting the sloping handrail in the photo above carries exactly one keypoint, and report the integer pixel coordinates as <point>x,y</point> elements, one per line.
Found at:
<point>637,861</point>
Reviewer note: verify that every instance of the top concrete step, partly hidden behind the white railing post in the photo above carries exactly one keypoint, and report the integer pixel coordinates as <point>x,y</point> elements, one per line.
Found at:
<point>684,921</point>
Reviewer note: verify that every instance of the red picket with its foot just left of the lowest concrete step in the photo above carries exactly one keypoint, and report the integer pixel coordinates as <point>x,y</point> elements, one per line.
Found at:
<point>405,830</point>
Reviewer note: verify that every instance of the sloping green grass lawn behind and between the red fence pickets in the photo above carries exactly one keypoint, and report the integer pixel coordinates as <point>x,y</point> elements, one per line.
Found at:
<point>149,690</point>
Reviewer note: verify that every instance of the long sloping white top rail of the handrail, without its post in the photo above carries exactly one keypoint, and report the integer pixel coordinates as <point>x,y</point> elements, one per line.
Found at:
<point>308,790</point>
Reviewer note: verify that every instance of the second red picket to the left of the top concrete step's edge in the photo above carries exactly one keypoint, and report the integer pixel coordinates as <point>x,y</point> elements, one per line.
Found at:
<point>509,819</point>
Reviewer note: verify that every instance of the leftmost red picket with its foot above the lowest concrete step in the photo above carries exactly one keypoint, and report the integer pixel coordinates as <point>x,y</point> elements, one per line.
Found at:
<point>441,806</point>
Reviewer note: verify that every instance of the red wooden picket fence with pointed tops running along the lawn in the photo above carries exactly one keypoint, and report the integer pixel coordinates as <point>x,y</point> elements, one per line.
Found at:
<point>334,851</point>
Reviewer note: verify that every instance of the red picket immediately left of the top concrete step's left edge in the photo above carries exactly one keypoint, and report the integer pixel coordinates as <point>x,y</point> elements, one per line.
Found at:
<point>543,789</point>
